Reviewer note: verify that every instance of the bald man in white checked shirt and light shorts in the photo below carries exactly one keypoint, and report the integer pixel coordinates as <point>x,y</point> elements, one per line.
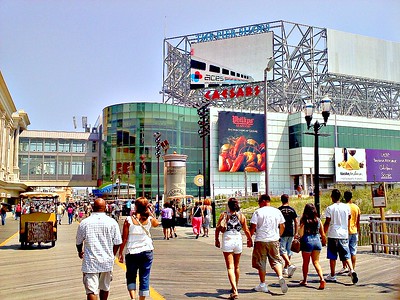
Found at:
<point>97,240</point>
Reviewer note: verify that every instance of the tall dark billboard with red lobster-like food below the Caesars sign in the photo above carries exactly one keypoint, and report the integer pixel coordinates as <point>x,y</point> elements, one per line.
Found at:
<point>241,140</point>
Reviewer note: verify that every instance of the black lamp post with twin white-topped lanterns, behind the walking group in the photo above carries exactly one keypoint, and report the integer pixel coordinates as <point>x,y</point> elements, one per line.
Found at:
<point>326,106</point>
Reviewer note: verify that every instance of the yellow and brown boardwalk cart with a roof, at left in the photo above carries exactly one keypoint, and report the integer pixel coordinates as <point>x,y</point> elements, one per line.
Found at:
<point>38,222</point>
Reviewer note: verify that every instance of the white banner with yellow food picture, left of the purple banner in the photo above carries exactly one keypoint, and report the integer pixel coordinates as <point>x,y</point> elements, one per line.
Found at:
<point>350,165</point>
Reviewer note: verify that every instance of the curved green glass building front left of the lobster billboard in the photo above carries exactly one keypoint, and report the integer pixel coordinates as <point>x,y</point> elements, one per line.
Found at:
<point>127,131</point>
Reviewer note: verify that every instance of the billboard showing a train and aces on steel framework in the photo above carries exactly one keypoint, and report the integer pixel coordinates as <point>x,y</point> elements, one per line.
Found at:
<point>230,61</point>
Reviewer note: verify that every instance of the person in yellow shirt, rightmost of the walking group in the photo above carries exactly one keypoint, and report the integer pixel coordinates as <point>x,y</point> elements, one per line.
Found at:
<point>354,229</point>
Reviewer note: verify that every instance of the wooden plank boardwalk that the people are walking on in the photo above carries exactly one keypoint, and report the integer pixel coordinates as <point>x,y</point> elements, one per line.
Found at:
<point>184,268</point>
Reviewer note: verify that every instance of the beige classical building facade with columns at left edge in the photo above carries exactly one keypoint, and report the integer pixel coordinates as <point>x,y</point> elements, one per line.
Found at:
<point>12,123</point>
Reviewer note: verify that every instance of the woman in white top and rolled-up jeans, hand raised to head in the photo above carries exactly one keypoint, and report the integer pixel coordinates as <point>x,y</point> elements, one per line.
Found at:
<point>139,248</point>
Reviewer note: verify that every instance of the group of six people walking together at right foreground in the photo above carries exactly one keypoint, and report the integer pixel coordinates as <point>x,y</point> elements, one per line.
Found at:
<point>274,230</point>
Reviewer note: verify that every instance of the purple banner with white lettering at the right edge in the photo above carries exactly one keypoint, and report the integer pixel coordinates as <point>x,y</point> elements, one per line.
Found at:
<point>383,165</point>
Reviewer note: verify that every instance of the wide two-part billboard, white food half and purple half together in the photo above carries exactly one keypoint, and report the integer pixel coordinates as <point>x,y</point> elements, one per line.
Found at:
<point>367,165</point>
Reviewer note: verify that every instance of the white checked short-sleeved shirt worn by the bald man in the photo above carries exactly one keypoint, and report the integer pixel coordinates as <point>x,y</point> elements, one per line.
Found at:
<point>100,233</point>
